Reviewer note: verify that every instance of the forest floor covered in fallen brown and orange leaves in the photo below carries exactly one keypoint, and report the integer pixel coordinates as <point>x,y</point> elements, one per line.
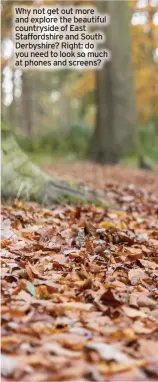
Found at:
<point>79,284</point>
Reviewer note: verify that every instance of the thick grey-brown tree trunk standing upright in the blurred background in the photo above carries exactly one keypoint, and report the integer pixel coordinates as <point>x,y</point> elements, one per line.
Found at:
<point>115,132</point>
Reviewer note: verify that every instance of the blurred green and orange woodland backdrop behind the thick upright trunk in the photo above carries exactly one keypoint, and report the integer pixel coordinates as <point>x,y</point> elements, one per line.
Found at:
<point>53,114</point>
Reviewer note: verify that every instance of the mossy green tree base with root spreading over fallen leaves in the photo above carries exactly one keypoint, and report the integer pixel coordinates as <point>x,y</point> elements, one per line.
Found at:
<point>22,179</point>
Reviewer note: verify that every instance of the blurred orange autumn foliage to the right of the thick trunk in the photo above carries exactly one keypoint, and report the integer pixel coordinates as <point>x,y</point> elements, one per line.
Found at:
<point>144,44</point>
